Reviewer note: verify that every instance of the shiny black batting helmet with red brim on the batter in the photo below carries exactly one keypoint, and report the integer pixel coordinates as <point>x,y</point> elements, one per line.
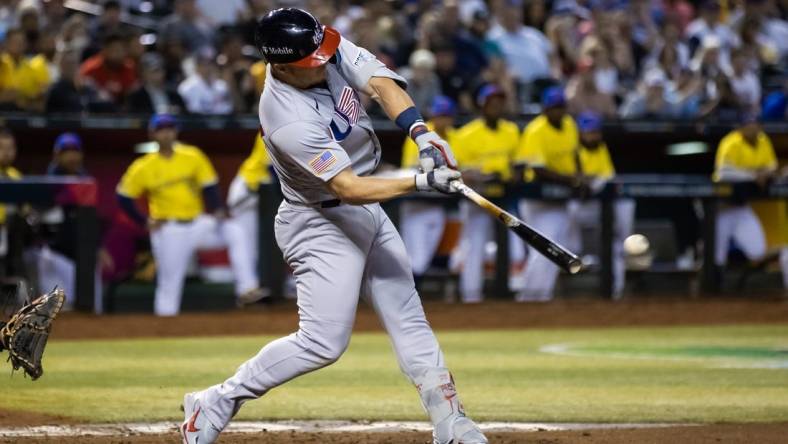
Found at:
<point>293,36</point>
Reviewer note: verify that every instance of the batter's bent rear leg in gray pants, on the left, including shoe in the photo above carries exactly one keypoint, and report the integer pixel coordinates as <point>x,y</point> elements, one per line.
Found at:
<point>328,264</point>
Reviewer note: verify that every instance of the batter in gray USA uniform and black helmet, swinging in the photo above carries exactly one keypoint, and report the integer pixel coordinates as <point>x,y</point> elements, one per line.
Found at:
<point>330,227</point>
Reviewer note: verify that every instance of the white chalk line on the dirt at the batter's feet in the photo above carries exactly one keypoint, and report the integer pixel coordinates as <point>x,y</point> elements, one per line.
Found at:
<point>249,427</point>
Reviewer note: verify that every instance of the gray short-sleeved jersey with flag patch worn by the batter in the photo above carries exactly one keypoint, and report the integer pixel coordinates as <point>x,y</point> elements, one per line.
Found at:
<point>313,134</point>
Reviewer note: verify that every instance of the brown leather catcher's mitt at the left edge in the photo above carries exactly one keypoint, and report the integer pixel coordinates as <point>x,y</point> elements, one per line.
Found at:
<point>25,334</point>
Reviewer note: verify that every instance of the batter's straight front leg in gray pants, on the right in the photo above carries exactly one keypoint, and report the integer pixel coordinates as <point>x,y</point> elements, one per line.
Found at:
<point>389,285</point>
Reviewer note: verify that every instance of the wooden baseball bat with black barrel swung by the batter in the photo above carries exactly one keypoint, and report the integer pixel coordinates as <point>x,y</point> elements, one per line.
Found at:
<point>550,249</point>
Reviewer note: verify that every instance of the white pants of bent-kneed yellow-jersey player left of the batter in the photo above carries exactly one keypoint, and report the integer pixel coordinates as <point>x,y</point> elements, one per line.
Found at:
<point>174,244</point>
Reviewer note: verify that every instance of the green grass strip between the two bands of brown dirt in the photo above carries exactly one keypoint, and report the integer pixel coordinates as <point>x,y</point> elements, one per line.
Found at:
<point>698,374</point>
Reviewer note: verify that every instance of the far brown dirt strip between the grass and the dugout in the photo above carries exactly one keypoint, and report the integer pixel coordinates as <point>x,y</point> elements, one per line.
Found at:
<point>282,318</point>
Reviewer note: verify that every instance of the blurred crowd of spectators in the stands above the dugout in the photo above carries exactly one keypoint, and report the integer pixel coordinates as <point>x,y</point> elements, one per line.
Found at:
<point>669,59</point>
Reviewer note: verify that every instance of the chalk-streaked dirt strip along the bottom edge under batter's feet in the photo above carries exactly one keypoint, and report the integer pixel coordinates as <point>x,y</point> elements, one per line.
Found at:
<point>398,433</point>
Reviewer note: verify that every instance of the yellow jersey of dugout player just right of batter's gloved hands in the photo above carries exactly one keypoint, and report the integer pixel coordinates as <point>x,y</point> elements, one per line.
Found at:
<point>477,146</point>
